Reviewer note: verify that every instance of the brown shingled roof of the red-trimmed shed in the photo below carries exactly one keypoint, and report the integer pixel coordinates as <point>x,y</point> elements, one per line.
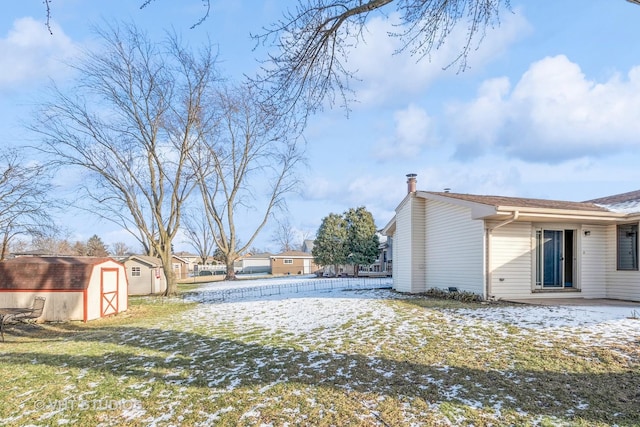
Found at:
<point>48,273</point>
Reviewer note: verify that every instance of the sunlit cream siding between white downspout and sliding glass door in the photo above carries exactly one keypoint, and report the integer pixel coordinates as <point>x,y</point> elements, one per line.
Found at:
<point>510,267</point>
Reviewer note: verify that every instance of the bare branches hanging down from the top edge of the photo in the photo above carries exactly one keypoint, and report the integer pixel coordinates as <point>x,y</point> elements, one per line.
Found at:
<point>313,41</point>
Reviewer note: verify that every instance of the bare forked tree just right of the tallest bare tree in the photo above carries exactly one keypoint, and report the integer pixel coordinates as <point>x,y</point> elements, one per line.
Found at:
<point>248,162</point>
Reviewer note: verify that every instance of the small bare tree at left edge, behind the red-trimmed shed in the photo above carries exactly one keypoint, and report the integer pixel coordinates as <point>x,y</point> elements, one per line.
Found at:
<point>25,199</point>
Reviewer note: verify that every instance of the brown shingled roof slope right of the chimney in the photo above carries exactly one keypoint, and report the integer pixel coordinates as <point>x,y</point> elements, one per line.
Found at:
<point>499,201</point>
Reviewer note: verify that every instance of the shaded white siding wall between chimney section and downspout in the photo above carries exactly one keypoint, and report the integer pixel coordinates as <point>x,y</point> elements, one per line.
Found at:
<point>454,248</point>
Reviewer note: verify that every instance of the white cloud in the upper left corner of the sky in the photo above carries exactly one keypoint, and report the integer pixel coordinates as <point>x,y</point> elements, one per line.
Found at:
<point>29,52</point>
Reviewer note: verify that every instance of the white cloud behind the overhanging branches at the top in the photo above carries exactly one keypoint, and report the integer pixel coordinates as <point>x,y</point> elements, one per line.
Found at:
<point>387,74</point>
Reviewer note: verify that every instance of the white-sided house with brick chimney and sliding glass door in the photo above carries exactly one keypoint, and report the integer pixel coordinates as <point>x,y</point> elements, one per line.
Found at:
<point>516,248</point>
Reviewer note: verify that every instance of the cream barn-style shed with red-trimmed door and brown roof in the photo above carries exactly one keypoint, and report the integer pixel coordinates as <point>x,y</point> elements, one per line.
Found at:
<point>76,288</point>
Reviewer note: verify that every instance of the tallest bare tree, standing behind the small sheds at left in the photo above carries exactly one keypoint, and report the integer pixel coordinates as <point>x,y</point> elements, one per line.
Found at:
<point>129,122</point>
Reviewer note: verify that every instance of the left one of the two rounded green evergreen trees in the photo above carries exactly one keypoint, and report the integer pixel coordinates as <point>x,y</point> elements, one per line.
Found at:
<point>330,246</point>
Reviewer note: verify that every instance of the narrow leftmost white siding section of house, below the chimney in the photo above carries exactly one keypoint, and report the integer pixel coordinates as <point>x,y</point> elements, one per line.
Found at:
<point>408,250</point>
